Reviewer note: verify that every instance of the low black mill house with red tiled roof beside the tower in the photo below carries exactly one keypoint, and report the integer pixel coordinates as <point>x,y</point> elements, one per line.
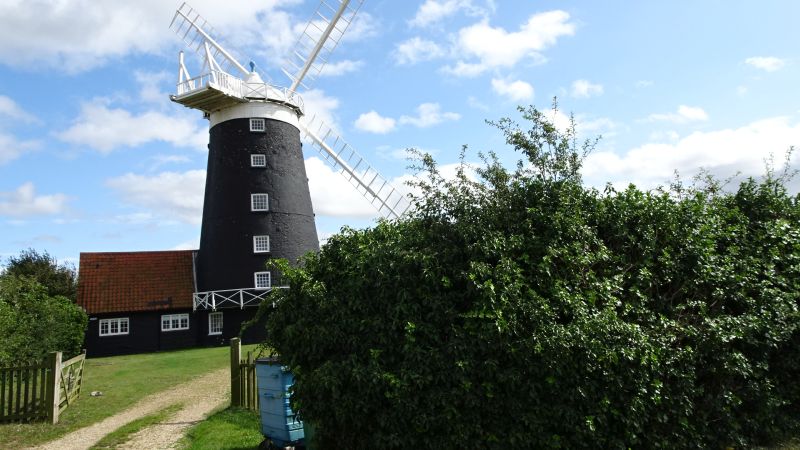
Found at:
<point>143,302</point>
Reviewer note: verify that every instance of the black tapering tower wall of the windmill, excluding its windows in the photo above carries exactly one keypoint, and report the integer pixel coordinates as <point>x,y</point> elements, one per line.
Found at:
<point>226,259</point>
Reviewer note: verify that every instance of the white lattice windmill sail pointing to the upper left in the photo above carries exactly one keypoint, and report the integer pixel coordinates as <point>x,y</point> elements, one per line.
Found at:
<point>196,33</point>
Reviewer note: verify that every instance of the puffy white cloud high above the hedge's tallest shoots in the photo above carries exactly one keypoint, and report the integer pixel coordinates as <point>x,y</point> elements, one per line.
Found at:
<point>494,47</point>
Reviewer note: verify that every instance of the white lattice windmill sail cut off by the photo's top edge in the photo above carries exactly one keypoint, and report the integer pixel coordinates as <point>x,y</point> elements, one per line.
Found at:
<point>320,37</point>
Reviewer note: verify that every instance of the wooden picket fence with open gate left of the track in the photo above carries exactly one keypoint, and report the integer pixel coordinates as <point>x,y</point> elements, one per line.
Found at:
<point>40,391</point>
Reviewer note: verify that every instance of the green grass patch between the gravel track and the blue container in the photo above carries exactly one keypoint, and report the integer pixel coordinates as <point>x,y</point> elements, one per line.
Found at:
<point>231,428</point>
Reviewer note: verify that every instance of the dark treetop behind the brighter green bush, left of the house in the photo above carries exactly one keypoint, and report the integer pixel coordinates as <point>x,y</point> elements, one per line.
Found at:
<point>58,278</point>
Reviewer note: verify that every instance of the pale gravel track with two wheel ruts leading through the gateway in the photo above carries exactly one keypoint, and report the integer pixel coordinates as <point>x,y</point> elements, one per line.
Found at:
<point>200,397</point>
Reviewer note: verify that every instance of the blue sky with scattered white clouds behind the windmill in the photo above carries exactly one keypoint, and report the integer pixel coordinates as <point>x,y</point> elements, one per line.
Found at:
<point>94,156</point>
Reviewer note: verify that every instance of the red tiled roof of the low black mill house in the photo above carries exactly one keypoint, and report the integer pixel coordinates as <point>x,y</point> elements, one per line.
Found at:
<point>135,281</point>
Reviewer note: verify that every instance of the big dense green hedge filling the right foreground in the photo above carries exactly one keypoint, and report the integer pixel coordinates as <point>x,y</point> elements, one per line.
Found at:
<point>523,310</point>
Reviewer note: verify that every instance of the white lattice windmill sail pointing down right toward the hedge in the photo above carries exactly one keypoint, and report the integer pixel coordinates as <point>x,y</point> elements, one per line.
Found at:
<point>388,200</point>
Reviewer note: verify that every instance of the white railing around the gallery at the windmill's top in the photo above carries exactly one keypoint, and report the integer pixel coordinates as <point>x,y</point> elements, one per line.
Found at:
<point>236,87</point>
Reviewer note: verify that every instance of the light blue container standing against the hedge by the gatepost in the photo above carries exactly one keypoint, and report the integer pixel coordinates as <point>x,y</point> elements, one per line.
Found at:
<point>278,421</point>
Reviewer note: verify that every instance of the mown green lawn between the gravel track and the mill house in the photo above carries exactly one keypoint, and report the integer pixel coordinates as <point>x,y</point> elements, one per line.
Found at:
<point>123,380</point>
